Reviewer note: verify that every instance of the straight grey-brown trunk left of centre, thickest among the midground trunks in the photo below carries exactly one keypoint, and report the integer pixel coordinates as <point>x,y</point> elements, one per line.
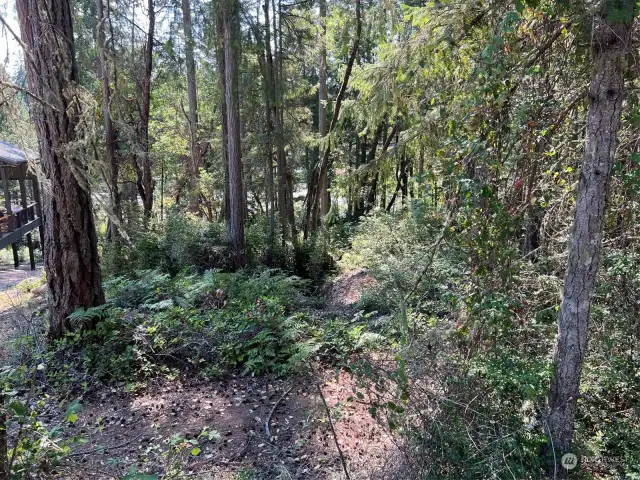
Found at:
<point>236,204</point>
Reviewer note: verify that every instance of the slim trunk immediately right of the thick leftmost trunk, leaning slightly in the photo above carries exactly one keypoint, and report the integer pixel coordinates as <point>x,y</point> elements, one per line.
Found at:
<point>109,132</point>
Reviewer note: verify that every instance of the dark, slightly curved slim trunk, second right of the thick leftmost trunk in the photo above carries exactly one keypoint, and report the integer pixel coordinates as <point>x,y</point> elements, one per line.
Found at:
<point>143,170</point>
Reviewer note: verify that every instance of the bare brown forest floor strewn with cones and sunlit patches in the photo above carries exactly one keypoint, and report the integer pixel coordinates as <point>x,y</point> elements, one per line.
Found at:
<point>217,429</point>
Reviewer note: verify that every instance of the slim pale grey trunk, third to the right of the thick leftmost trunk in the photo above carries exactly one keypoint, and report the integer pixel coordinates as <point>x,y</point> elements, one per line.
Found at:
<point>196,154</point>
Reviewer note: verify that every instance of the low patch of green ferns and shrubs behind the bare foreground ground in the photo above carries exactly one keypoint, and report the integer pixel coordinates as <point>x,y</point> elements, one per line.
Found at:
<point>204,324</point>
